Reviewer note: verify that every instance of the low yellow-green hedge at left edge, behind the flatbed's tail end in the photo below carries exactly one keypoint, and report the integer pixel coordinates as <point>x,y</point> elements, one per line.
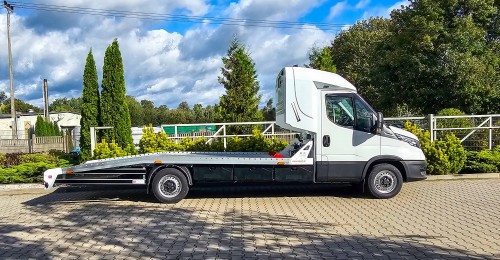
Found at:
<point>27,168</point>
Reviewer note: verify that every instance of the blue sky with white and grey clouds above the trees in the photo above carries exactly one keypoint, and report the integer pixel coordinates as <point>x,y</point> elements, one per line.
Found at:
<point>167,62</point>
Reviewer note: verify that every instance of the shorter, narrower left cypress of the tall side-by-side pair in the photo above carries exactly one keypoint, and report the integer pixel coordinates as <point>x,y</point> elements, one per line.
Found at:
<point>89,106</point>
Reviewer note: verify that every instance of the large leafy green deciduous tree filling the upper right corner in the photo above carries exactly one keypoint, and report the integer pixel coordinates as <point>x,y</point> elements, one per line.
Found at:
<point>440,54</point>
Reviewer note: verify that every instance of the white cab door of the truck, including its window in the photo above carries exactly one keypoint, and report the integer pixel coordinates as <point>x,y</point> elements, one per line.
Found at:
<point>348,139</point>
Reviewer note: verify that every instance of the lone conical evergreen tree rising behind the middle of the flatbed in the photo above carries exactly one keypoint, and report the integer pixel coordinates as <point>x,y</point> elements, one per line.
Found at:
<point>241,101</point>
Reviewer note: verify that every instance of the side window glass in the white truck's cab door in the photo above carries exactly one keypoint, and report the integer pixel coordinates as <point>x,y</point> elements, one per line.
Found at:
<point>340,110</point>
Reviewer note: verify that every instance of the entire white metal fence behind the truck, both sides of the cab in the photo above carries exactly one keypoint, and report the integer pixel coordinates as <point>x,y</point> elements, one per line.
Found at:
<point>475,131</point>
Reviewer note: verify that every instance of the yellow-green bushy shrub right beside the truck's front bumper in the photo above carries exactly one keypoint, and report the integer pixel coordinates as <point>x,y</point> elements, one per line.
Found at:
<point>443,156</point>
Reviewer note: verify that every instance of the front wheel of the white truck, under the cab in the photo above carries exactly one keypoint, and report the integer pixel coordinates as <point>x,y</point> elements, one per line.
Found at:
<point>385,181</point>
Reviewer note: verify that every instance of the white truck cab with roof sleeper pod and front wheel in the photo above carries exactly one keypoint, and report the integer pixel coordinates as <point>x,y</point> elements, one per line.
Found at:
<point>352,143</point>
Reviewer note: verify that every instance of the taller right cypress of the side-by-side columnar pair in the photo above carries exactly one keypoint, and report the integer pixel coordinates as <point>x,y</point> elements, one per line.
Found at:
<point>114,107</point>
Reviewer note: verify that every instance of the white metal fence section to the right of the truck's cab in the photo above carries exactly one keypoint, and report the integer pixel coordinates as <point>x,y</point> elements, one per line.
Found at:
<point>476,132</point>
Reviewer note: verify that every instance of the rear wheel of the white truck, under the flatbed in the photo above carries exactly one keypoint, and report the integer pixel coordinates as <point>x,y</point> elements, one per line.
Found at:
<point>170,185</point>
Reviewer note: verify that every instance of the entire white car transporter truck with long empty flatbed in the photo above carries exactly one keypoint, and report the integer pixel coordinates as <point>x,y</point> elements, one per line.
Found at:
<point>342,139</point>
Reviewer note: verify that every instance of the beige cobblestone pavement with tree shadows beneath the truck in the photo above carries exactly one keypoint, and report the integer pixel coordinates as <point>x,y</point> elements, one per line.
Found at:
<point>427,220</point>
